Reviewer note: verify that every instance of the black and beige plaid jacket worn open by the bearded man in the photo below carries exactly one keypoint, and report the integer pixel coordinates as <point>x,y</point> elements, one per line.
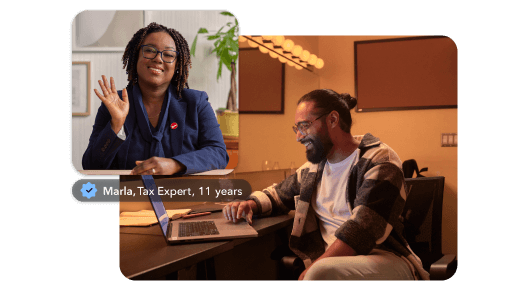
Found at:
<point>376,196</point>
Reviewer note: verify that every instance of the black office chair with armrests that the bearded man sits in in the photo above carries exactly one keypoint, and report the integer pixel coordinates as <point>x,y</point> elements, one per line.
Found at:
<point>422,229</point>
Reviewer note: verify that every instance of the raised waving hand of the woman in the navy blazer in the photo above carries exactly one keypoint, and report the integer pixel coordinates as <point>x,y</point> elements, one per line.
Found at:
<point>118,108</point>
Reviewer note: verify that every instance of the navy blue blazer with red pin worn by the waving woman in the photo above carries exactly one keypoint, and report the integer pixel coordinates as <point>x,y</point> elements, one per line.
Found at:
<point>196,142</point>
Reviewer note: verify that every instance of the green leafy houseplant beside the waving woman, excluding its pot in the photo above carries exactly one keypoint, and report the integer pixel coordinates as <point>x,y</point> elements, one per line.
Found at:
<point>226,47</point>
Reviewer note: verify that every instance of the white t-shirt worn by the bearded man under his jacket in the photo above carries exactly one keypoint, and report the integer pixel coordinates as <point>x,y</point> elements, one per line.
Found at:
<point>331,201</point>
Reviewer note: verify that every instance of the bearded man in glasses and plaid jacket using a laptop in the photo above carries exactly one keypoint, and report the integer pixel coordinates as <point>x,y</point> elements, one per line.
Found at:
<point>348,198</point>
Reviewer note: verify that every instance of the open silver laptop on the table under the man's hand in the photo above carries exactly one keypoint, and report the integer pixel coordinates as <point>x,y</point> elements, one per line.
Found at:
<point>189,231</point>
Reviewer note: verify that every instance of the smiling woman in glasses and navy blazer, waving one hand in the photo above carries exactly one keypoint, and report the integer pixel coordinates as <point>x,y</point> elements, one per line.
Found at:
<point>155,125</point>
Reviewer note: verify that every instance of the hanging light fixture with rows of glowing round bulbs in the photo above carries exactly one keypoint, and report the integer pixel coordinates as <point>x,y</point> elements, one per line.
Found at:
<point>285,50</point>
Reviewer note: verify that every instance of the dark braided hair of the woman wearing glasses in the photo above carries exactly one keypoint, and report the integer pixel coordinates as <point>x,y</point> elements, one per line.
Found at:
<point>132,52</point>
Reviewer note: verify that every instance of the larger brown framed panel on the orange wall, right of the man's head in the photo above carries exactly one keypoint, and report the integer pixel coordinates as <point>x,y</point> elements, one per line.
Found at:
<point>406,74</point>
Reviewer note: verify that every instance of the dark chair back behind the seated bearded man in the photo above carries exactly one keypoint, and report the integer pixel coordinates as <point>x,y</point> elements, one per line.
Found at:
<point>423,217</point>
